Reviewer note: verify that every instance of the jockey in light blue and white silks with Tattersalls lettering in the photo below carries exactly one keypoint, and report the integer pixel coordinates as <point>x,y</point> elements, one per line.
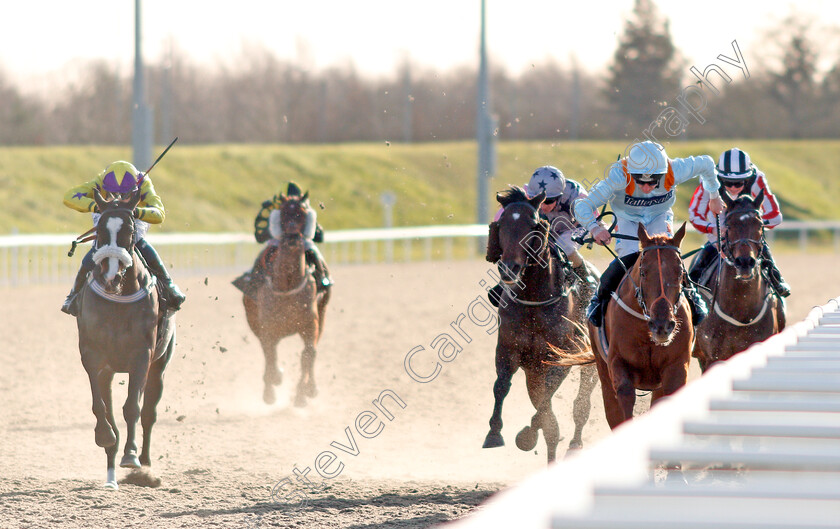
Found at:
<point>641,189</point>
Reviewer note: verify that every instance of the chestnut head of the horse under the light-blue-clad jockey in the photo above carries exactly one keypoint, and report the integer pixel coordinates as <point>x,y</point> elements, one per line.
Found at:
<point>659,271</point>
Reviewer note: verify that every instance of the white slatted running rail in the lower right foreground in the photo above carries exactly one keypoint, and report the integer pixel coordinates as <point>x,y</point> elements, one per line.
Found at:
<point>752,444</point>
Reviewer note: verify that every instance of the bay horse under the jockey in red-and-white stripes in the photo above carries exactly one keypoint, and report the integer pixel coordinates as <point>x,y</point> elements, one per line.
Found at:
<point>744,309</point>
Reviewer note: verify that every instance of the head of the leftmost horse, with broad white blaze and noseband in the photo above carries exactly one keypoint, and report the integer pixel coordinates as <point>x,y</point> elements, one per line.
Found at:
<point>114,238</point>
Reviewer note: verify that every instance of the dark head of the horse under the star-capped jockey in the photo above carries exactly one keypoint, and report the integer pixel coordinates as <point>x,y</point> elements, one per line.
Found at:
<point>521,235</point>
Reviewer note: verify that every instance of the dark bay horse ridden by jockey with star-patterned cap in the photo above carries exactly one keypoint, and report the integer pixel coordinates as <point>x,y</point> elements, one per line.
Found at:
<point>537,322</point>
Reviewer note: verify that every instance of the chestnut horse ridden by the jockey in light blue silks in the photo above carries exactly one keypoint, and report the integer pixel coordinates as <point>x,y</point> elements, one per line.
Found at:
<point>647,332</point>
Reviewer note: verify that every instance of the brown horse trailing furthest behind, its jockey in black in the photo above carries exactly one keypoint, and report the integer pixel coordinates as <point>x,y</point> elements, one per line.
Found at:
<point>288,304</point>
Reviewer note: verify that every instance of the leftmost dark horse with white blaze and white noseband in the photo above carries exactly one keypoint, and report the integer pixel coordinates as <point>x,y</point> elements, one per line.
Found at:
<point>123,329</point>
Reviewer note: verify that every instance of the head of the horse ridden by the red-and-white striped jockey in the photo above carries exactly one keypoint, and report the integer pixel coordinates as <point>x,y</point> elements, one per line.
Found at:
<point>744,234</point>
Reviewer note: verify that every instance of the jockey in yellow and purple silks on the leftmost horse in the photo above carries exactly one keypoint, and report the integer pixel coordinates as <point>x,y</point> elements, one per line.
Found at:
<point>118,179</point>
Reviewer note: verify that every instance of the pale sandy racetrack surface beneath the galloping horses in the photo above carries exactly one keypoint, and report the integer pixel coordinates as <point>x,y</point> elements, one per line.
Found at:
<point>219,450</point>
